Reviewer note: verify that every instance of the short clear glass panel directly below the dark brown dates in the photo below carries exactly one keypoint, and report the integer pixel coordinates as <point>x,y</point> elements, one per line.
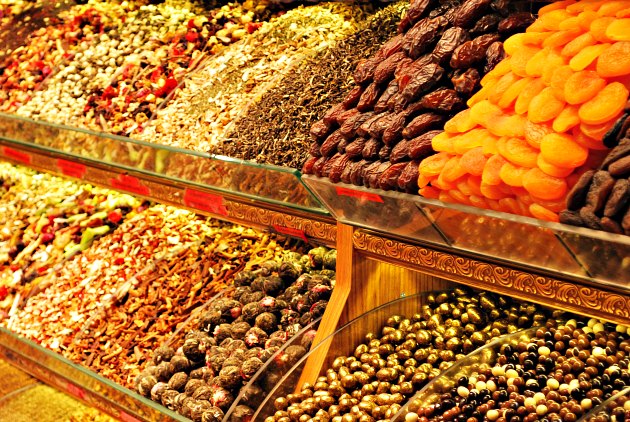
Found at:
<point>389,212</point>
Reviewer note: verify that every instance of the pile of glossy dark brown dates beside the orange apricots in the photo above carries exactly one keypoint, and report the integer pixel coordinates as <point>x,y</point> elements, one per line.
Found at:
<point>404,94</point>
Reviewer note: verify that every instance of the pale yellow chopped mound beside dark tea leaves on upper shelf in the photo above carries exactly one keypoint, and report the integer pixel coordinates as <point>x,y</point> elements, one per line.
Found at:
<point>215,96</point>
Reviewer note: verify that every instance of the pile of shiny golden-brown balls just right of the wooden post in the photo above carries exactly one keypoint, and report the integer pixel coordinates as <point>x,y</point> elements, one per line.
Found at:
<point>386,370</point>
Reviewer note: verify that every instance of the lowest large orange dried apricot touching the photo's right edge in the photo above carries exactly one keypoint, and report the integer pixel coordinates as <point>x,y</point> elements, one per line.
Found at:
<point>608,103</point>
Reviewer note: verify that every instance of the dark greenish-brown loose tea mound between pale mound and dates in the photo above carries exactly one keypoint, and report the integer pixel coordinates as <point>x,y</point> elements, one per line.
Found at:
<point>304,95</point>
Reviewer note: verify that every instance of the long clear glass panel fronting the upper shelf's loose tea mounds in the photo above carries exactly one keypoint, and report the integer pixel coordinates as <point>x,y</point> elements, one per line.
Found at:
<point>242,178</point>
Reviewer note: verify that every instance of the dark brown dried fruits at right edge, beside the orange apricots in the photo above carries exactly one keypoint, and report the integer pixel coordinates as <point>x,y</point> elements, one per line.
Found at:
<point>600,199</point>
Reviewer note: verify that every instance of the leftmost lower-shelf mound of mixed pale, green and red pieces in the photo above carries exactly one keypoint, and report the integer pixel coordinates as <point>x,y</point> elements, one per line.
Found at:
<point>44,220</point>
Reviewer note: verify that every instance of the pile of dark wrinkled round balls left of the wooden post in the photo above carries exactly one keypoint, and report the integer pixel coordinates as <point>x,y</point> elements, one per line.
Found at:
<point>238,334</point>
